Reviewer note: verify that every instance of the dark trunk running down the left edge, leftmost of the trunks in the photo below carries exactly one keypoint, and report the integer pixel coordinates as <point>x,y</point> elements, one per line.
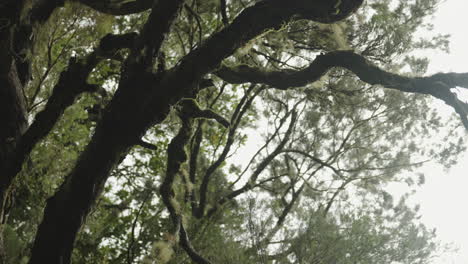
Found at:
<point>18,20</point>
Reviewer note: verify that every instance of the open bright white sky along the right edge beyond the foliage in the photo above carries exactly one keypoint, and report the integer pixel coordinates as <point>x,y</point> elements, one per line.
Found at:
<point>444,197</point>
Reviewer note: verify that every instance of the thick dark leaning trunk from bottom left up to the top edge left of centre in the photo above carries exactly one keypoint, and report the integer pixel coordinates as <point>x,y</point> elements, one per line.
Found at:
<point>66,210</point>
